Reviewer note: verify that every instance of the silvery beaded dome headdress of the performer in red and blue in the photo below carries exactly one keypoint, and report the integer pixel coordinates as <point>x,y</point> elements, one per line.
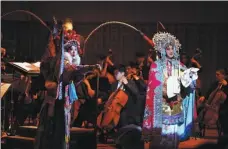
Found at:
<point>162,40</point>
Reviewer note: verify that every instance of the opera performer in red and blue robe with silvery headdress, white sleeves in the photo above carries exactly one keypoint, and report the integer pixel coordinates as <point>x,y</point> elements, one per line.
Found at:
<point>166,117</point>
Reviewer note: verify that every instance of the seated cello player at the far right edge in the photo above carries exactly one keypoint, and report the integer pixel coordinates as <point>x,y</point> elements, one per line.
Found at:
<point>219,91</point>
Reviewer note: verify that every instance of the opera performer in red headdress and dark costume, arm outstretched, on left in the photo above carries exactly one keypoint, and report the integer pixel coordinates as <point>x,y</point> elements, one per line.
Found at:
<point>59,72</point>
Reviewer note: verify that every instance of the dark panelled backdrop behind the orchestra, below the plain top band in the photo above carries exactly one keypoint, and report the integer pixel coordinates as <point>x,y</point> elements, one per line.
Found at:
<point>28,40</point>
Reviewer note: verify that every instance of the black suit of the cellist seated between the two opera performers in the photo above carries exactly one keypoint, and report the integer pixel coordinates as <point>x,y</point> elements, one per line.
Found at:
<point>128,112</point>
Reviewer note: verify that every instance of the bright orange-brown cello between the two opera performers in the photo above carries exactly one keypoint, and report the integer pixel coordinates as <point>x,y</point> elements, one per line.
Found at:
<point>109,117</point>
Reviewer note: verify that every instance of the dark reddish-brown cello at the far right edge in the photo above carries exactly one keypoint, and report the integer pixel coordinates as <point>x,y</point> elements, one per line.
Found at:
<point>209,115</point>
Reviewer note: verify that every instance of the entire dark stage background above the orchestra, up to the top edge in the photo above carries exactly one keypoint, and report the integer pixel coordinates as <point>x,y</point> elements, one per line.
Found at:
<point>201,25</point>
